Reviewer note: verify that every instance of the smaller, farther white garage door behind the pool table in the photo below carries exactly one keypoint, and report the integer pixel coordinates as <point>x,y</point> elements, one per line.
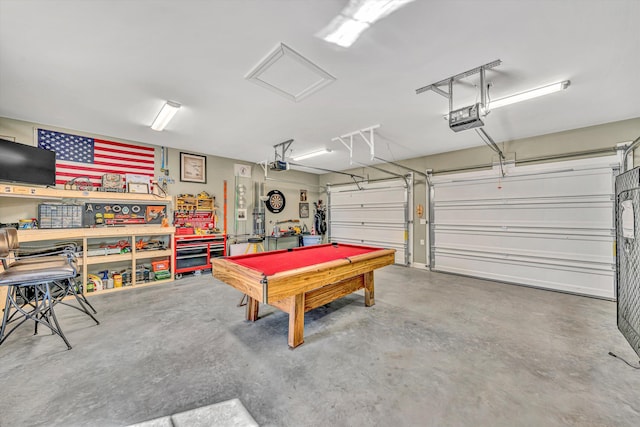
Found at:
<point>375,214</point>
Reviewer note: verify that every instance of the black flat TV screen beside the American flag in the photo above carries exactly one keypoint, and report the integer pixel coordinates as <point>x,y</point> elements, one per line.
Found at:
<point>26,164</point>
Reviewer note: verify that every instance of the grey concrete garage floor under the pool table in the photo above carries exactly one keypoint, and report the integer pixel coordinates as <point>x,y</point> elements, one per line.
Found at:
<point>435,350</point>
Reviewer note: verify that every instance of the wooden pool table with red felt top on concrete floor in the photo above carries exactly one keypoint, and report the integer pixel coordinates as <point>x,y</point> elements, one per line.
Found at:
<point>300,279</point>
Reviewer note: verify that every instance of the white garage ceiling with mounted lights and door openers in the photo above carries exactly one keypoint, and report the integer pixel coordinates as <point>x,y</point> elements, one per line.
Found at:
<point>106,67</point>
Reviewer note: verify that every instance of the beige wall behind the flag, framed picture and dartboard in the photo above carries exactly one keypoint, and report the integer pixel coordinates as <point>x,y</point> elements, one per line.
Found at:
<point>219,169</point>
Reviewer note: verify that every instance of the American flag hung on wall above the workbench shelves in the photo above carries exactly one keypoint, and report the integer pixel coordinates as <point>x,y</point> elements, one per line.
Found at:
<point>78,156</point>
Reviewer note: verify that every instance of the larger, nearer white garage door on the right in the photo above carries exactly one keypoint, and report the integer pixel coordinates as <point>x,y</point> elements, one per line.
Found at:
<point>549,226</point>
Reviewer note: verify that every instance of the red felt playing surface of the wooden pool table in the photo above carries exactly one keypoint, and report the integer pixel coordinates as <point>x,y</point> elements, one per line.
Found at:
<point>270,263</point>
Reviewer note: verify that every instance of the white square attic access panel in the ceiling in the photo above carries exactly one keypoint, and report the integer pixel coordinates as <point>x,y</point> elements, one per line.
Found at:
<point>289,74</point>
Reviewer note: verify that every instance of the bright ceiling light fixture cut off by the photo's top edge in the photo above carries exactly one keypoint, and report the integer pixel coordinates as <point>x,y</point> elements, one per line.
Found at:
<point>355,18</point>
